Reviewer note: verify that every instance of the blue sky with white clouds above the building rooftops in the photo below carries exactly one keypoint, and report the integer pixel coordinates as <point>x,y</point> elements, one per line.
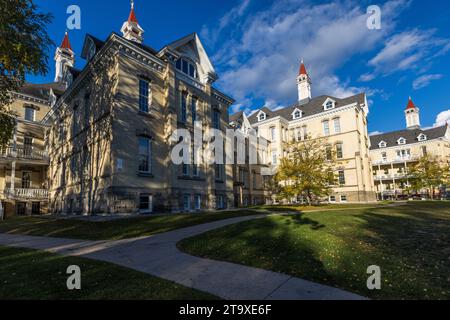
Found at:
<point>256,46</point>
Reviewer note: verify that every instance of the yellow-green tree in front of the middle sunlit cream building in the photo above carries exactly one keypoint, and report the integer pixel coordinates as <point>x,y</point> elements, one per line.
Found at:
<point>308,170</point>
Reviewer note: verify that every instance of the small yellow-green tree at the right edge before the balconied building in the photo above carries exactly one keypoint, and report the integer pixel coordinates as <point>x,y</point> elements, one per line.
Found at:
<point>429,173</point>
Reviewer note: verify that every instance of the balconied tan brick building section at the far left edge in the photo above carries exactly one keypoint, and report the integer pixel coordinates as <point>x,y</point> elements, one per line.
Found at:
<point>24,163</point>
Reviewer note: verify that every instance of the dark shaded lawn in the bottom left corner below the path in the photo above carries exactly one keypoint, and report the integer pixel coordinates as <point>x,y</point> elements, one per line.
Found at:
<point>32,274</point>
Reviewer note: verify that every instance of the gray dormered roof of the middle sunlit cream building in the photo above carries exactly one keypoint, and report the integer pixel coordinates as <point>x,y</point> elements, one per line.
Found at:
<point>309,108</point>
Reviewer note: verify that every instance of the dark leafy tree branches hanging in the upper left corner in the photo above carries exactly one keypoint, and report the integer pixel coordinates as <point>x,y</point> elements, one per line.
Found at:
<point>24,44</point>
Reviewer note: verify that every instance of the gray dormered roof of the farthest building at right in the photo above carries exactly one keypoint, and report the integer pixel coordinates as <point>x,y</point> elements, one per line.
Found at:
<point>410,135</point>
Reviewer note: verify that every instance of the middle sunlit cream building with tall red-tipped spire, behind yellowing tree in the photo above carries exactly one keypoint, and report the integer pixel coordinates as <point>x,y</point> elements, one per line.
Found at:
<point>343,122</point>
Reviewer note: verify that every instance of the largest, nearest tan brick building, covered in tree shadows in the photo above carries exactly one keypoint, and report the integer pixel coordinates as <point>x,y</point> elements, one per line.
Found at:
<point>110,139</point>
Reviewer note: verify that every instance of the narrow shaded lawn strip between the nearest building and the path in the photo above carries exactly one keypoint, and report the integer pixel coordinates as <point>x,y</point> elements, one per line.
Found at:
<point>110,230</point>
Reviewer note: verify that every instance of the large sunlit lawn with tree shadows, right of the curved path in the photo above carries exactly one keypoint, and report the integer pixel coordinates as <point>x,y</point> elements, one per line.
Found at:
<point>410,243</point>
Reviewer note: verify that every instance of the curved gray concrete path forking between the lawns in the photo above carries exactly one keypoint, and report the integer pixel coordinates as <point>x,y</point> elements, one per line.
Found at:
<point>158,255</point>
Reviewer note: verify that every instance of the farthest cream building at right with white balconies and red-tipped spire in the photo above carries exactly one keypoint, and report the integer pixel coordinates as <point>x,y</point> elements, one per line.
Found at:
<point>393,153</point>
